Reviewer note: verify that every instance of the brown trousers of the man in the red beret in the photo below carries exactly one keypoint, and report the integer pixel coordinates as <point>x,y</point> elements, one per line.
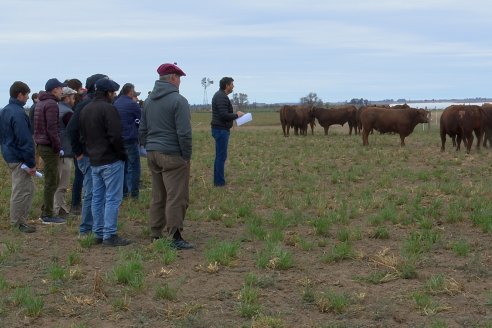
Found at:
<point>170,192</point>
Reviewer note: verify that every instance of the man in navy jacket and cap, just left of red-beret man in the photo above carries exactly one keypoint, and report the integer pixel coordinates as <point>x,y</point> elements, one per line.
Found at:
<point>130,114</point>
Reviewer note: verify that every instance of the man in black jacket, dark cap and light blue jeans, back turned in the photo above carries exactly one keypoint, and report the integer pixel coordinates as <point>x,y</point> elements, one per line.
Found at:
<point>100,133</point>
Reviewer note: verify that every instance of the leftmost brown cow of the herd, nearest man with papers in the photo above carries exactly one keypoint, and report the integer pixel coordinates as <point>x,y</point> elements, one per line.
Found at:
<point>297,117</point>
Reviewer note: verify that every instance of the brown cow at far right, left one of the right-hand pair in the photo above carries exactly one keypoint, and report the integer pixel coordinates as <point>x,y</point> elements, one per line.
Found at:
<point>459,122</point>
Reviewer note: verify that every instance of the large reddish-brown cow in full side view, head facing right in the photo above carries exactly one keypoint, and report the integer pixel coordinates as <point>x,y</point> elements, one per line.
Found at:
<point>401,121</point>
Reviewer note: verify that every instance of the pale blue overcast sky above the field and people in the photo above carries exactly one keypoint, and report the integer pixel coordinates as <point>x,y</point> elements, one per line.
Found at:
<point>276,50</point>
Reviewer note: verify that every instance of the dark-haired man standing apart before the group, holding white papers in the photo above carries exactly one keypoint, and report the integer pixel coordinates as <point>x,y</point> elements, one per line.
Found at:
<point>222,117</point>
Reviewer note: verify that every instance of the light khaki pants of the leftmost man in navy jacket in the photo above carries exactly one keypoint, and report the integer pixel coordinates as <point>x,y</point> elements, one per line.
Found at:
<point>22,194</point>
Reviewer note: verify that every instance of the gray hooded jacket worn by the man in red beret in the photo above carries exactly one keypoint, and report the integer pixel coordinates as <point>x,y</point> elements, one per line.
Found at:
<point>166,121</point>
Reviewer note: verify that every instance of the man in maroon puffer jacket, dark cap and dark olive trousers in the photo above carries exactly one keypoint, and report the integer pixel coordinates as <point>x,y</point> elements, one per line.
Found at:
<point>49,146</point>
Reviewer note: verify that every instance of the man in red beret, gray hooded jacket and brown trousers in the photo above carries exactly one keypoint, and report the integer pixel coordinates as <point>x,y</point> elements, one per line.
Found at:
<point>165,131</point>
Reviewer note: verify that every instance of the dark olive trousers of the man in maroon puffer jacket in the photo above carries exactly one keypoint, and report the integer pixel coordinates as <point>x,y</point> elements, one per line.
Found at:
<point>50,159</point>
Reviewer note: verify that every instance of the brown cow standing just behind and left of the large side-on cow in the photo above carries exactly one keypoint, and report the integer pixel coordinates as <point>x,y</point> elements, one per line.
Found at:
<point>337,115</point>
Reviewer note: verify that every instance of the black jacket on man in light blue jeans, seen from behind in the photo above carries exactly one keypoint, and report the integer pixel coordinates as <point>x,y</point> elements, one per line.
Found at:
<point>100,132</point>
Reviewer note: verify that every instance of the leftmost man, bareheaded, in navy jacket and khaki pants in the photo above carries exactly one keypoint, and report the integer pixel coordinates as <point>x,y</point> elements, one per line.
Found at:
<point>18,149</point>
